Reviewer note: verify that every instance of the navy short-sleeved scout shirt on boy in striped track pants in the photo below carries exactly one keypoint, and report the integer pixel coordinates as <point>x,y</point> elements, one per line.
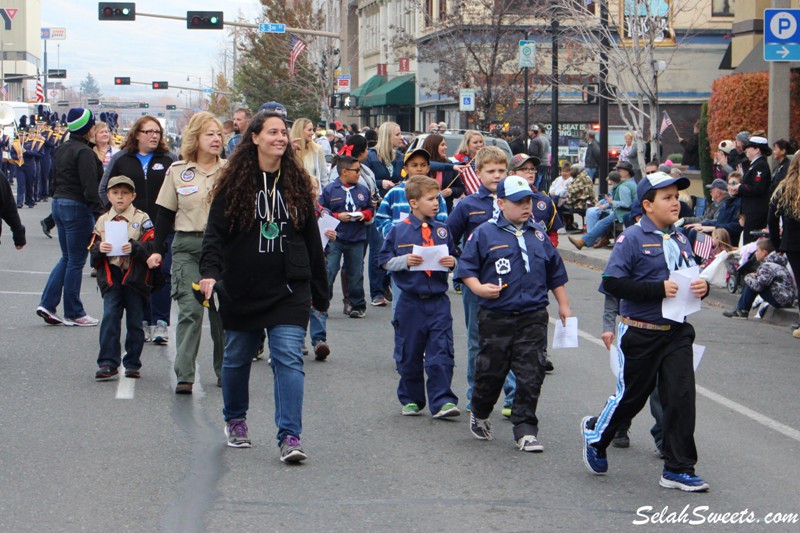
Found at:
<point>639,255</point>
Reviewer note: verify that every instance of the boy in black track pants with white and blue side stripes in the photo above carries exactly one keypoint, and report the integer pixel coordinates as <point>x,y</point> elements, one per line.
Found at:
<point>655,351</point>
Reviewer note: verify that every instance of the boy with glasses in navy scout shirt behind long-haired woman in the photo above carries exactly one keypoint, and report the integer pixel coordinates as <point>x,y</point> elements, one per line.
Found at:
<point>351,204</point>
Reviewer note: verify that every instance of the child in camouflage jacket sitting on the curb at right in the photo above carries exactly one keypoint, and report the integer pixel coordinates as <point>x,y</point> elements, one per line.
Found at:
<point>772,281</point>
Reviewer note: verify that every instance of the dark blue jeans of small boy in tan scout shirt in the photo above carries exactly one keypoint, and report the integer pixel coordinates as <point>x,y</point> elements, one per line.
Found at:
<point>116,300</point>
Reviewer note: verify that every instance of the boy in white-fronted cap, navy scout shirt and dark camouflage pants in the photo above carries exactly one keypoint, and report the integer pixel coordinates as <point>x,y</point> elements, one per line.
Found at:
<point>510,265</point>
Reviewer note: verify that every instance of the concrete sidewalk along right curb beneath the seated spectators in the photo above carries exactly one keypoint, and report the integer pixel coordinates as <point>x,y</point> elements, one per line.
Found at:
<point>721,297</point>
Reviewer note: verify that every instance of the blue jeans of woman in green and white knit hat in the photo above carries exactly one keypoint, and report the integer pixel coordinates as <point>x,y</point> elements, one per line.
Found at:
<point>74,222</point>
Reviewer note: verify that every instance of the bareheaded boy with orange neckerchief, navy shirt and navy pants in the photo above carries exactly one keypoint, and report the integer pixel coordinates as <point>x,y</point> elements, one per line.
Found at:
<point>422,321</point>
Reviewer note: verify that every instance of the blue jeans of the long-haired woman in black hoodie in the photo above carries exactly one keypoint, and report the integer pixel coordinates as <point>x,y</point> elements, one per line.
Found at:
<point>286,360</point>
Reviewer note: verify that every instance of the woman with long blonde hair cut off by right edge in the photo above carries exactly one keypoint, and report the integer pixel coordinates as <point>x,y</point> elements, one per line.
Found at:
<point>784,208</point>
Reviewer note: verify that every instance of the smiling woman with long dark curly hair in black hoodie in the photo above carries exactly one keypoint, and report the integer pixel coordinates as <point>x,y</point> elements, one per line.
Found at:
<point>262,256</point>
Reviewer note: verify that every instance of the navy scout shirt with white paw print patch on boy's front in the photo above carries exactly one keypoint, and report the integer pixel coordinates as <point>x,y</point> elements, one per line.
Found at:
<point>493,254</point>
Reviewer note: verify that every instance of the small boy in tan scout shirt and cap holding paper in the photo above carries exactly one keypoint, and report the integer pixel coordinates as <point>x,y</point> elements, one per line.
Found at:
<point>123,277</point>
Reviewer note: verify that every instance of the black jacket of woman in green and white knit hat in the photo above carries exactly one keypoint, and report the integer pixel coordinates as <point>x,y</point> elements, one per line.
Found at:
<point>77,173</point>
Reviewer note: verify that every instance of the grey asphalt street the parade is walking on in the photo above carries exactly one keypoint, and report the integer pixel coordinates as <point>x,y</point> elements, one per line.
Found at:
<point>132,456</point>
